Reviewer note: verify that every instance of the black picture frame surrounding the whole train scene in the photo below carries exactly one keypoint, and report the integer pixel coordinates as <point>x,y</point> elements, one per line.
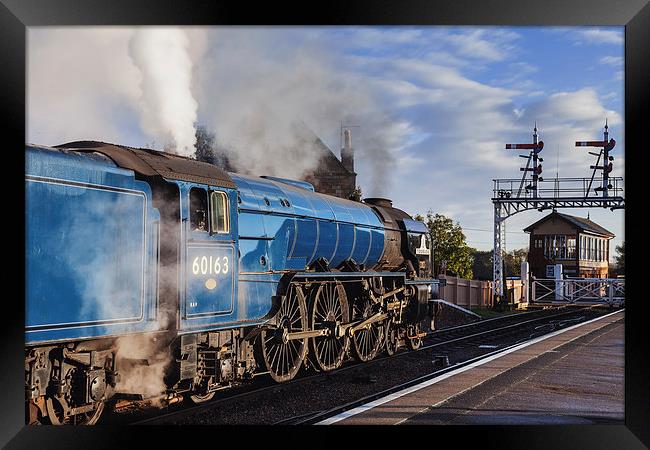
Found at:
<point>16,15</point>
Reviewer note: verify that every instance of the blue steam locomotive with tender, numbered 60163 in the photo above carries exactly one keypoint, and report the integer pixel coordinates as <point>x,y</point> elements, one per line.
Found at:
<point>154,275</point>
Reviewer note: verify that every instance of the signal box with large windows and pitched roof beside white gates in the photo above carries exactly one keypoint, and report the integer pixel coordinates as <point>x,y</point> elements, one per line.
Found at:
<point>579,244</point>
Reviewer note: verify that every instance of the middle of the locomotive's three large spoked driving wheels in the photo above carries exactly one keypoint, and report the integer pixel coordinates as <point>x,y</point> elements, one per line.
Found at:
<point>329,307</point>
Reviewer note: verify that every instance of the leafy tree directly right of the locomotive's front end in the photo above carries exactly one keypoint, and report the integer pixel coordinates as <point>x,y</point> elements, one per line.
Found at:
<point>449,245</point>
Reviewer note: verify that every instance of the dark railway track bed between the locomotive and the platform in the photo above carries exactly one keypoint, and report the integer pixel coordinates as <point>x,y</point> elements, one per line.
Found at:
<point>454,346</point>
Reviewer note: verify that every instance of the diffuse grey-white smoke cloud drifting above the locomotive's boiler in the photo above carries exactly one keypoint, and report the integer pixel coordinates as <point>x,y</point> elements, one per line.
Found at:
<point>256,84</point>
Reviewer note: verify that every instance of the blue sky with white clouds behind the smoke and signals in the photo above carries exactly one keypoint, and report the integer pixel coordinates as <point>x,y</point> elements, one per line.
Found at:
<point>434,105</point>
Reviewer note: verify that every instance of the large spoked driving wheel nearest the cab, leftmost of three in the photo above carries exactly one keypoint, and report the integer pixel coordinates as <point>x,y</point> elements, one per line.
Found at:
<point>283,357</point>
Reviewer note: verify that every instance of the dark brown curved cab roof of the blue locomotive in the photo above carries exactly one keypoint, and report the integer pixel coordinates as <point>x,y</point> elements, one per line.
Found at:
<point>149,162</point>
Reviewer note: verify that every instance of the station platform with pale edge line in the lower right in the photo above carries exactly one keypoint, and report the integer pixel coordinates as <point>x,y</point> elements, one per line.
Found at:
<point>572,376</point>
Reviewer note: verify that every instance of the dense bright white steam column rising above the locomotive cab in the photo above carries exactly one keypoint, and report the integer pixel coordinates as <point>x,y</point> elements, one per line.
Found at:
<point>168,108</point>
